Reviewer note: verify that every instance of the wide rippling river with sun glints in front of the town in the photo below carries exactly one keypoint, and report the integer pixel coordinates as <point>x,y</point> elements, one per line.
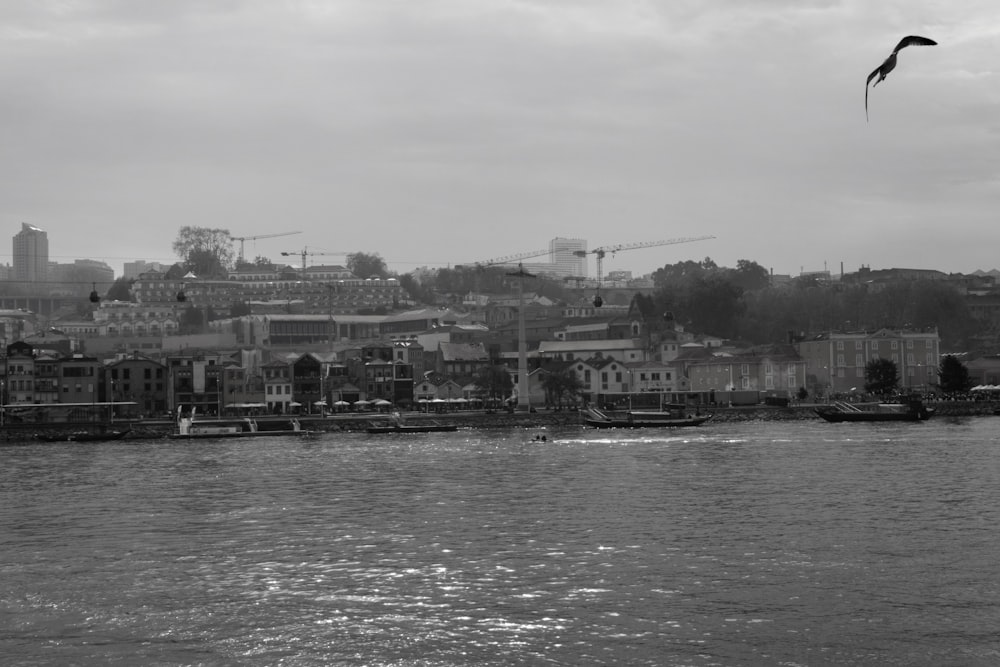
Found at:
<point>759,543</point>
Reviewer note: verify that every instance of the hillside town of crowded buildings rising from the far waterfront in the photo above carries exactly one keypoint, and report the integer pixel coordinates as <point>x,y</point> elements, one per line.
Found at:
<point>308,338</point>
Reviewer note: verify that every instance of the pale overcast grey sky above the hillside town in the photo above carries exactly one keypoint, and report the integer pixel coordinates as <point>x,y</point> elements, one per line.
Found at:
<point>439,132</point>
